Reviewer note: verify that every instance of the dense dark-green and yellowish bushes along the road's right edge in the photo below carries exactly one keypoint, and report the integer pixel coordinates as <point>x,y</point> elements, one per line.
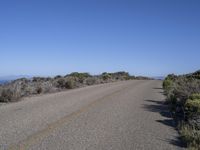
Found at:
<point>183,97</point>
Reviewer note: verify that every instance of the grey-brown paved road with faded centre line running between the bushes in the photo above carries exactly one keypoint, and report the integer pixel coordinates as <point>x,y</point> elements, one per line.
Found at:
<point>126,115</point>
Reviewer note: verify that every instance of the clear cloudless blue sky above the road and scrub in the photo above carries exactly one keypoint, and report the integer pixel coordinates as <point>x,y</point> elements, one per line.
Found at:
<point>143,37</point>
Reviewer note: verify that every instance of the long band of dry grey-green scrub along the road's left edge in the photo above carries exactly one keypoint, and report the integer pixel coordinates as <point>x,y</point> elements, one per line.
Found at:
<point>19,88</point>
